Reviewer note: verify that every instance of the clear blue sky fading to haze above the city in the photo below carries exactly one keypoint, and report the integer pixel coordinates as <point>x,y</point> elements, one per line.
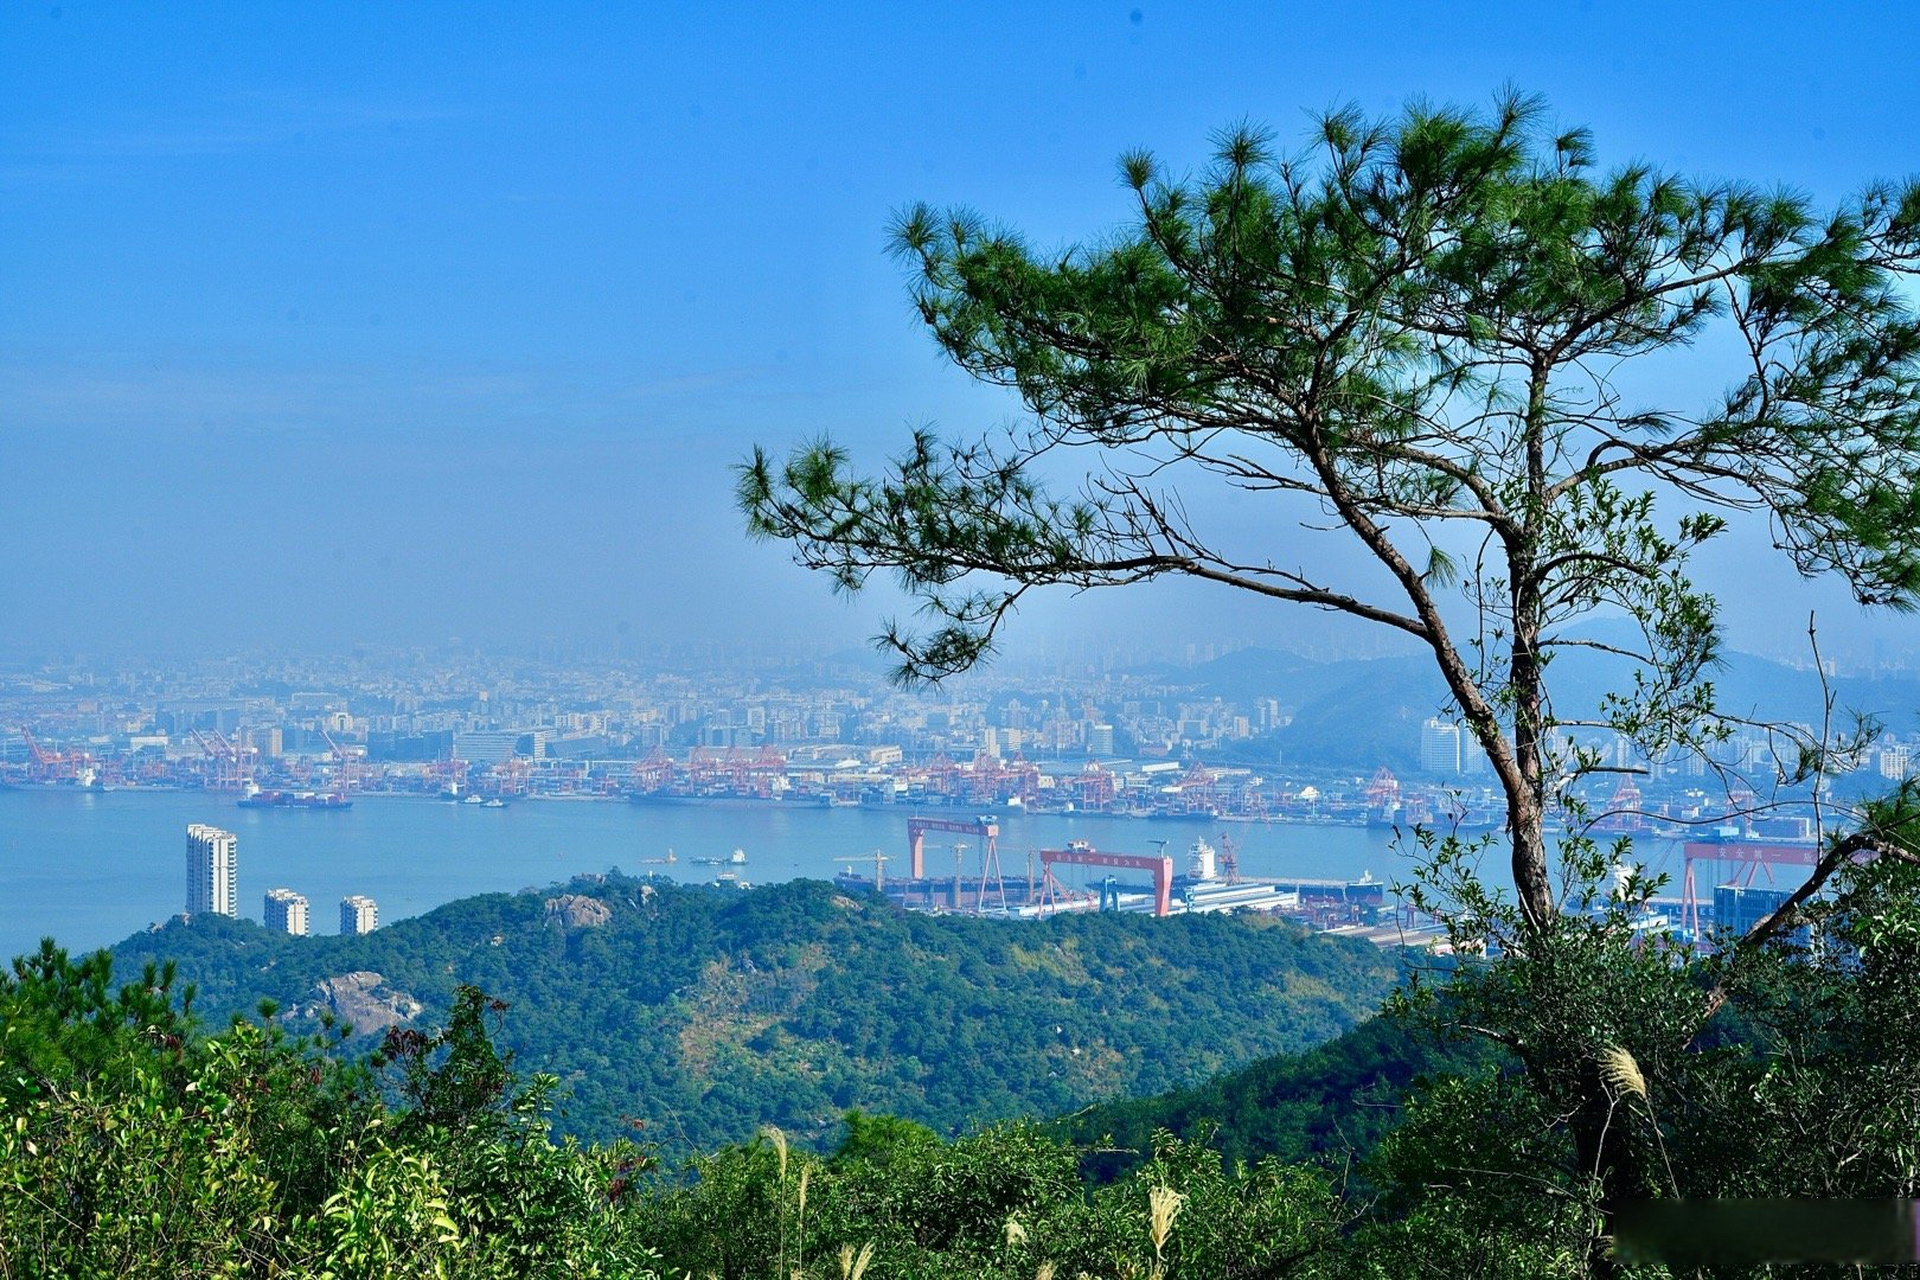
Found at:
<point>393,323</point>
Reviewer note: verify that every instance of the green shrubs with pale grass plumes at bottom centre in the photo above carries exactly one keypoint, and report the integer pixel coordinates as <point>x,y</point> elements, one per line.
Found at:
<point>1003,1202</point>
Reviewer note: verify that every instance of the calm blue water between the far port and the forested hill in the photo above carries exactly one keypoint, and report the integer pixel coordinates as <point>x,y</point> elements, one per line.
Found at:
<point>91,868</point>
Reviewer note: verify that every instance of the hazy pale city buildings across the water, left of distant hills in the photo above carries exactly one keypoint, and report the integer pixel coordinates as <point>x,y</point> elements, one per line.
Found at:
<point>210,723</point>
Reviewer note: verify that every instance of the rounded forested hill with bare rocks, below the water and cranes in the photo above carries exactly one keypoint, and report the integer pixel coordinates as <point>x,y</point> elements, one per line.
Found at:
<point>711,1012</point>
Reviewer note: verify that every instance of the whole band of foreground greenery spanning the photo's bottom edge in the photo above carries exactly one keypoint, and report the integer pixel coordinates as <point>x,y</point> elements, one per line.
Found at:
<point>256,1152</point>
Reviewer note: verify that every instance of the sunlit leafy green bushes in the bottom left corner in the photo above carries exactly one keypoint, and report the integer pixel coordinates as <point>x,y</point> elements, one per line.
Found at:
<point>254,1152</point>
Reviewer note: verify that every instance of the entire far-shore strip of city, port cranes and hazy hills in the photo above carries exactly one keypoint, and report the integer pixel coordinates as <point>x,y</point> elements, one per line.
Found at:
<point>1084,736</point>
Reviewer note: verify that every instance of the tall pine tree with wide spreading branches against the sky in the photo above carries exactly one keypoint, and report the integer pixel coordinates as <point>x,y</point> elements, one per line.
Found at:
<point>1445,339</point>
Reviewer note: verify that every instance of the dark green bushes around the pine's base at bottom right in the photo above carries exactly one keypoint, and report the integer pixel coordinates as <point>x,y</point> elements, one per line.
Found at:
<point>1637,1070</point>
